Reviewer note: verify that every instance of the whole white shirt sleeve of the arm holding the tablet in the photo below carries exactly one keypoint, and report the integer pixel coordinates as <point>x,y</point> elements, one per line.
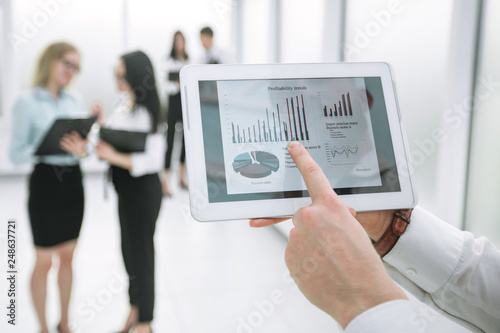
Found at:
<point>460,273</point>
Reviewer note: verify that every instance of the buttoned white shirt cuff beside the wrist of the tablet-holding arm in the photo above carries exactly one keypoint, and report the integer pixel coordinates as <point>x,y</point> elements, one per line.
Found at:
<point>428,252</point>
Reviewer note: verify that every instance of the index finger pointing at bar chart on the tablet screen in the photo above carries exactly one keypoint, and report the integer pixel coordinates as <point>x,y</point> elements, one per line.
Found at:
<point>317,183</point>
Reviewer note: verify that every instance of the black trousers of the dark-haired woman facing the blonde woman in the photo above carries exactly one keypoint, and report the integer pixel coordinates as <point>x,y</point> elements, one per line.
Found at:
<point>139,202</point>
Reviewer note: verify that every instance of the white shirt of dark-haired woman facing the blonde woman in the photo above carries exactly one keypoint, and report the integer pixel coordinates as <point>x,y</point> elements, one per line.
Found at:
<point>139,120</point>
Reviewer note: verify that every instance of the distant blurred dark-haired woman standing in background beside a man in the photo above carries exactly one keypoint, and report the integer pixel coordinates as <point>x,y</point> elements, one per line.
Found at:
<point>178,58</point>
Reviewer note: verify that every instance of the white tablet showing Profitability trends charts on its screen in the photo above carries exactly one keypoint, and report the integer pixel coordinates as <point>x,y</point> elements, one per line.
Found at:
<point>238,120</point>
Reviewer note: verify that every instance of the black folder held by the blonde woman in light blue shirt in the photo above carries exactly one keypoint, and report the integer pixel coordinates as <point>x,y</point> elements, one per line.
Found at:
<point>50,143</point>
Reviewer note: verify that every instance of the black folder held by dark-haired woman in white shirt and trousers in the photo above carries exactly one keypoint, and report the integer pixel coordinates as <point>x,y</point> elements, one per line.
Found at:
<point>124,141</point>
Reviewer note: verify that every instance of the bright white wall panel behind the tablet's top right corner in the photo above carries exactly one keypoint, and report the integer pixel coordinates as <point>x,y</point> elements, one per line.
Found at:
<point>415,41</point>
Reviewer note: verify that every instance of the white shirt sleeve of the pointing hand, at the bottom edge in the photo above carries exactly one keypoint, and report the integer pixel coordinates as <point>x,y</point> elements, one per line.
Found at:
<point>402,316</point>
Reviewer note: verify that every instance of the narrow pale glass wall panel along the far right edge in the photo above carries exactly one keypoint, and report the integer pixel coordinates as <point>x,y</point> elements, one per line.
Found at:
<point>483,195</point>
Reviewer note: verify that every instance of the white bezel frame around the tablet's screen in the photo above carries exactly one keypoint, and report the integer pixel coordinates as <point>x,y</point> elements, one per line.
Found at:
<point>202,210</point>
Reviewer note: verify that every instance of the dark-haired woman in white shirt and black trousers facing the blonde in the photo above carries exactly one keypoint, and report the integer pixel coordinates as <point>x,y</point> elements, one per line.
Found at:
<point>136,181</point>
